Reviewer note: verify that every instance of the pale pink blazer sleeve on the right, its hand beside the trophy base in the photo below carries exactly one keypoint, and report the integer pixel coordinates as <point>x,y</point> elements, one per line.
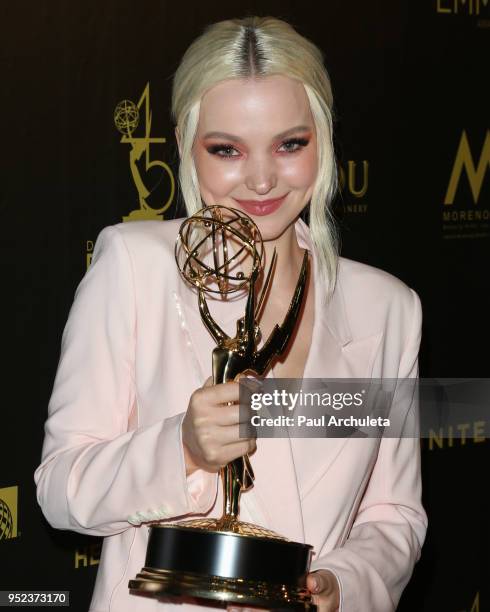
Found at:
<point>376,562</point>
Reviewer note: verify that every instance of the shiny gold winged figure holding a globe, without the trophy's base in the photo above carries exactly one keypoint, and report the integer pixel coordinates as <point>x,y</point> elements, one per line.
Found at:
<point>208,231</point>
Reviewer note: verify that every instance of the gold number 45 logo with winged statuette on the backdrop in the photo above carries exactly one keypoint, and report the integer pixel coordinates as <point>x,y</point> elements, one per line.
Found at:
<point>127,120</point>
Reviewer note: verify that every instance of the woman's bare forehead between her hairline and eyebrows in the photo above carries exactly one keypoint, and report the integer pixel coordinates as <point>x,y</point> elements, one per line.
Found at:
<point>269,104</point>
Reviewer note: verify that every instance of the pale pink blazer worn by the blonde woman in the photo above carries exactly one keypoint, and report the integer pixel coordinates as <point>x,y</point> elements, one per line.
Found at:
<point>134,349</point>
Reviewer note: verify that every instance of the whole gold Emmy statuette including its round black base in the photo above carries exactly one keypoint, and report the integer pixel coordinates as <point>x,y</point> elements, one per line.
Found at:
<point>225,560</point>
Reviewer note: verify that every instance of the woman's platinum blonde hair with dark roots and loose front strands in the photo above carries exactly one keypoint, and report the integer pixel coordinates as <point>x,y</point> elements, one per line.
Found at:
<point>255,47</point>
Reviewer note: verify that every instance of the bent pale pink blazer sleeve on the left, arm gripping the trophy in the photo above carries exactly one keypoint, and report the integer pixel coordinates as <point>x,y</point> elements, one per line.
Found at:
<point>95,476</point>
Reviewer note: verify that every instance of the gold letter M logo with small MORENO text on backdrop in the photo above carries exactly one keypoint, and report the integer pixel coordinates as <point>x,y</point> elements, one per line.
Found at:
<point>463,216</point>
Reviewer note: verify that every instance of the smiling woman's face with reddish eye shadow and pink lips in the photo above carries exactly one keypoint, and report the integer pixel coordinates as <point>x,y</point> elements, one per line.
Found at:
<point>256,141</point>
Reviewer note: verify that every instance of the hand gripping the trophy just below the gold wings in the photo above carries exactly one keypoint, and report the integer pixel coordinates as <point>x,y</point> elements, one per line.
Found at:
<point>210,428</point>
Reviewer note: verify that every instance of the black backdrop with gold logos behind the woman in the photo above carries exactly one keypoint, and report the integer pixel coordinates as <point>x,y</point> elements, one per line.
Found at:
<point>411,99</point>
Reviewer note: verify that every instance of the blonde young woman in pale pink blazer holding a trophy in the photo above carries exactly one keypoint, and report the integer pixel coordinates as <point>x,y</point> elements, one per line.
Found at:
<point>137,433</point>
